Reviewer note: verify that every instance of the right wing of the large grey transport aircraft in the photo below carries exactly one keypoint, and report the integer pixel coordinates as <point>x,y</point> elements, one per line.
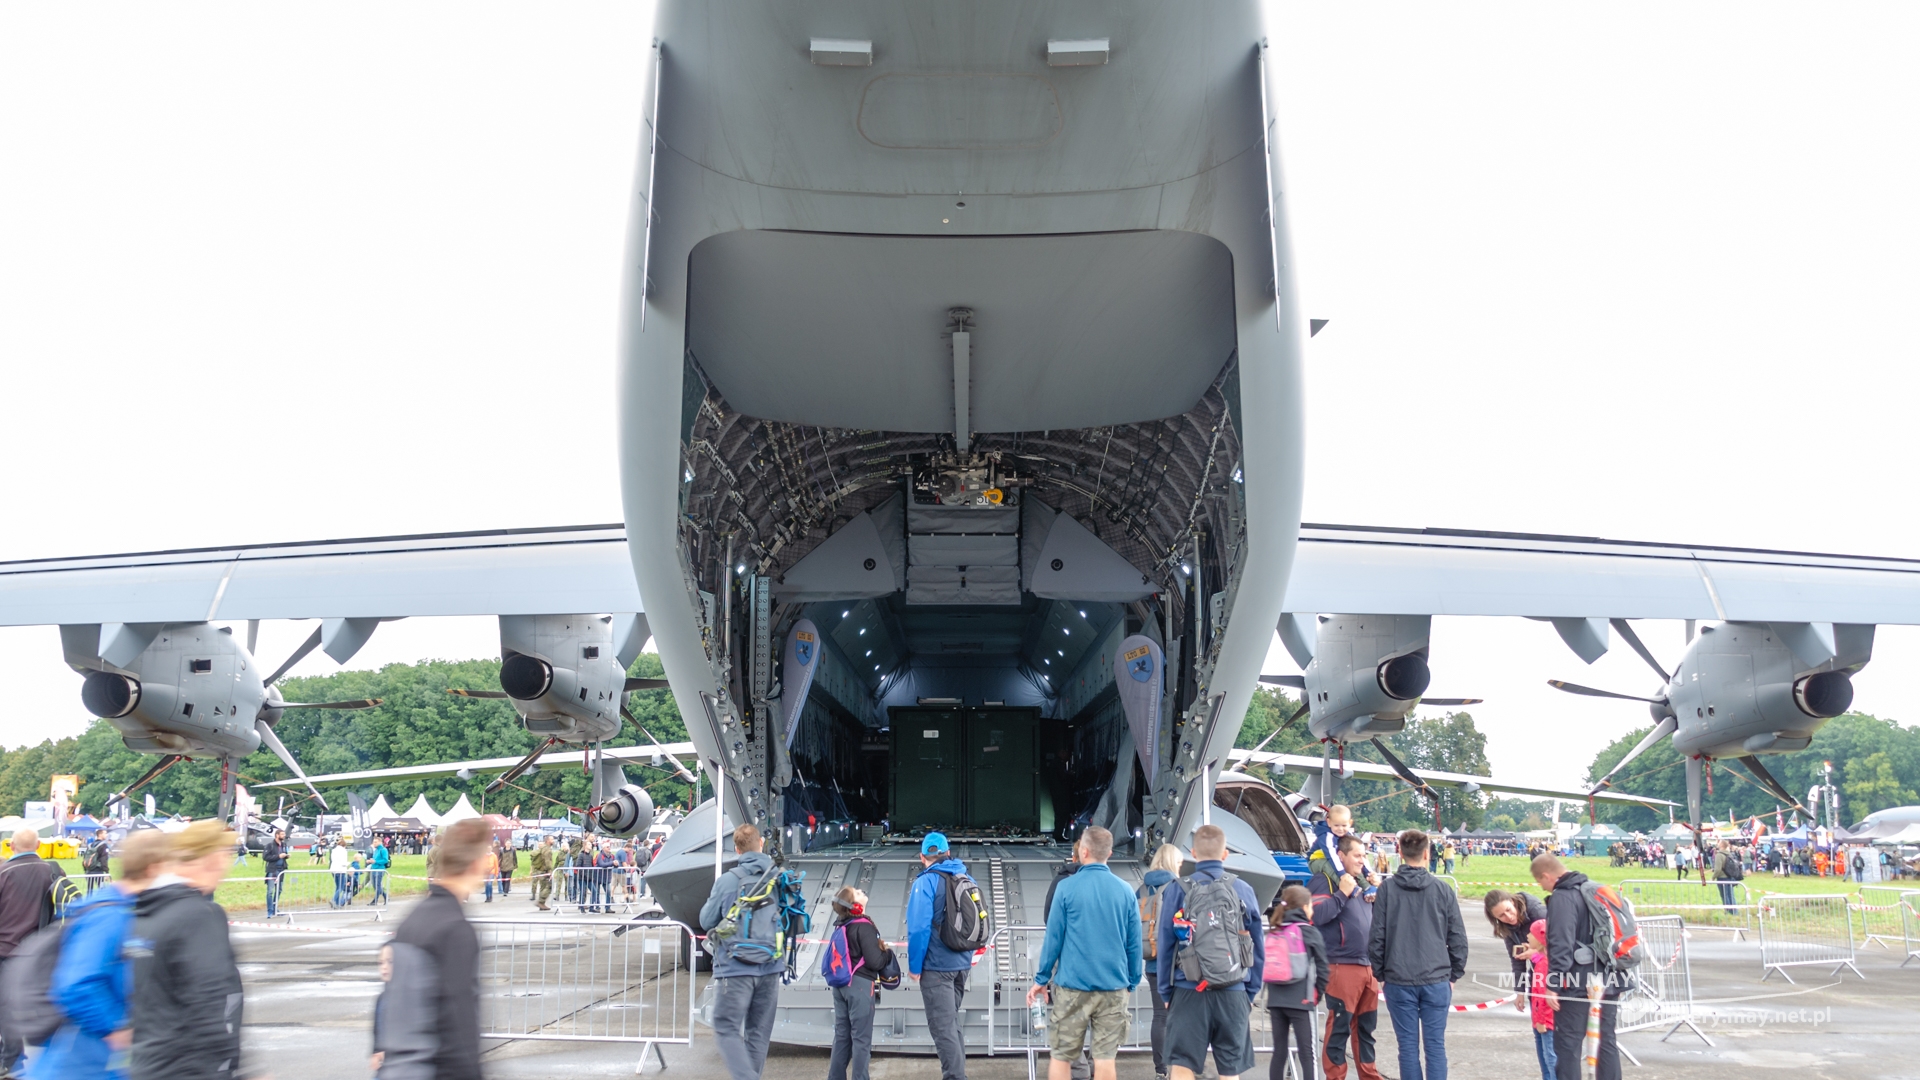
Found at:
<point>1441,572</point>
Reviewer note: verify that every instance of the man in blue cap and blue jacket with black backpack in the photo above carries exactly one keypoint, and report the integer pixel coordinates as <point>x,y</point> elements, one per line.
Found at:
<point>946,925</point>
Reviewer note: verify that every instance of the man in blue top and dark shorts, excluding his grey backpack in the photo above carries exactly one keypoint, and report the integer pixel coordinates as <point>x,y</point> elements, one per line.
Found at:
<point>1216,1016</point>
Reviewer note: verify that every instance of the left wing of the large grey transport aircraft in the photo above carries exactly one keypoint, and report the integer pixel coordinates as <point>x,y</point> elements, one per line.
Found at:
<point>529,572</point>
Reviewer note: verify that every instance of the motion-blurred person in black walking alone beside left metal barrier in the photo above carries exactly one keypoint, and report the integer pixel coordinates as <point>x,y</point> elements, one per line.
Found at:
<point>437,946</point>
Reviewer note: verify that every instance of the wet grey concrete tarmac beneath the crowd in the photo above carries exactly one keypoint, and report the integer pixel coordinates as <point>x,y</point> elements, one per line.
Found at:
<point>310,1018</point>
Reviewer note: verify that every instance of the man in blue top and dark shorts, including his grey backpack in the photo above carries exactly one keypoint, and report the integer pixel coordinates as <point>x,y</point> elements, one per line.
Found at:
<point>1211,946</point>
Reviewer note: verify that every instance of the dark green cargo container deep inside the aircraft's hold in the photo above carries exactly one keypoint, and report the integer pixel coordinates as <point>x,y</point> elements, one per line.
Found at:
<point>967,770</point>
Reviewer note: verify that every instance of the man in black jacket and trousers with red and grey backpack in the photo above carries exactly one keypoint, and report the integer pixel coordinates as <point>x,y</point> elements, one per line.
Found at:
<point>1575,966</point>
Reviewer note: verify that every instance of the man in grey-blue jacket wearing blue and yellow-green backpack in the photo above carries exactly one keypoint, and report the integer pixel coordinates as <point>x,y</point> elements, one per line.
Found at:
<point>742,923</point>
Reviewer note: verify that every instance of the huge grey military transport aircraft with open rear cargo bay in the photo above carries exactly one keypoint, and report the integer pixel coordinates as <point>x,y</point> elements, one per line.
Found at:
<point>961,443</point>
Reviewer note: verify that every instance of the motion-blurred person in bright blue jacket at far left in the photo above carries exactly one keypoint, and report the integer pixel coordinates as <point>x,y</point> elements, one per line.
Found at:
<point>91,981</point>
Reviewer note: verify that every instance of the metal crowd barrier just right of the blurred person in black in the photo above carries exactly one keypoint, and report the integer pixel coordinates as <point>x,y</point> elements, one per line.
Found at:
<point>571,981</point>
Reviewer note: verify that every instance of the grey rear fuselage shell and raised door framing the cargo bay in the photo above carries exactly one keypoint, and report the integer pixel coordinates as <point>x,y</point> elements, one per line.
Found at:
<point>748,135</point>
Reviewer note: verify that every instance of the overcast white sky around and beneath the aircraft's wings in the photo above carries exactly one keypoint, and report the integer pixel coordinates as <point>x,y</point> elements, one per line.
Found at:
<point>1633,272</point>
